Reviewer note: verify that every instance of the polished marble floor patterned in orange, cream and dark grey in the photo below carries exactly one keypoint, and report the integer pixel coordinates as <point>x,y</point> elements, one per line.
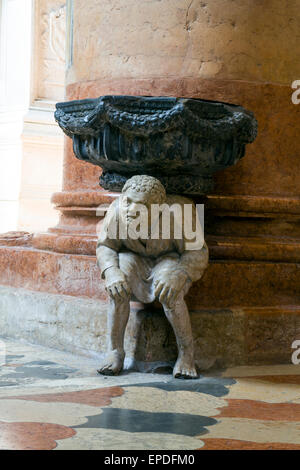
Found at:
<point>55,400</point>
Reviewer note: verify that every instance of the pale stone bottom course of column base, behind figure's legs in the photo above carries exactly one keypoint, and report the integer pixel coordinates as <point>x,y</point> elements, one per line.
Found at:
<point>222,337</point>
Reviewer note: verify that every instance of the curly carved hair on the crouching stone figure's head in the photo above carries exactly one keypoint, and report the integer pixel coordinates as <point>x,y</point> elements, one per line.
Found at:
<point>146,184</point>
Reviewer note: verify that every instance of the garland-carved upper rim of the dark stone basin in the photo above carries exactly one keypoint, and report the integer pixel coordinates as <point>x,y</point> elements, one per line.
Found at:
<point>145,115</point>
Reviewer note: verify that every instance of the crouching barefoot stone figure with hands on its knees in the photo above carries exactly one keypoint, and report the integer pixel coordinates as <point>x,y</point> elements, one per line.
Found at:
<point>145,253</point>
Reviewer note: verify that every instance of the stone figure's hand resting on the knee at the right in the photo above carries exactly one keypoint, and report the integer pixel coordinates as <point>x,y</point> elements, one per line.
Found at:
<point>167,286</point>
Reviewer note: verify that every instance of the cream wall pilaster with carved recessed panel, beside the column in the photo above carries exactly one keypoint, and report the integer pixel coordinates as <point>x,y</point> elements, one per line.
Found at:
<point>43,141</point>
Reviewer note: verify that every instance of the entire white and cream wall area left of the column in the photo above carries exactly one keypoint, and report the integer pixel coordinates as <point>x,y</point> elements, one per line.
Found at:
<point>32,71</point>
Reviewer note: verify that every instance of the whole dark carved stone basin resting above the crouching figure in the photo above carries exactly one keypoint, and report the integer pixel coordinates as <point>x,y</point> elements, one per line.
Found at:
<point>181,141</point>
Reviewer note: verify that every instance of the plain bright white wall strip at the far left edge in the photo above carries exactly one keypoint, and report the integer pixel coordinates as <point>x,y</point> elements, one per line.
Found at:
<point>15,58</point>
